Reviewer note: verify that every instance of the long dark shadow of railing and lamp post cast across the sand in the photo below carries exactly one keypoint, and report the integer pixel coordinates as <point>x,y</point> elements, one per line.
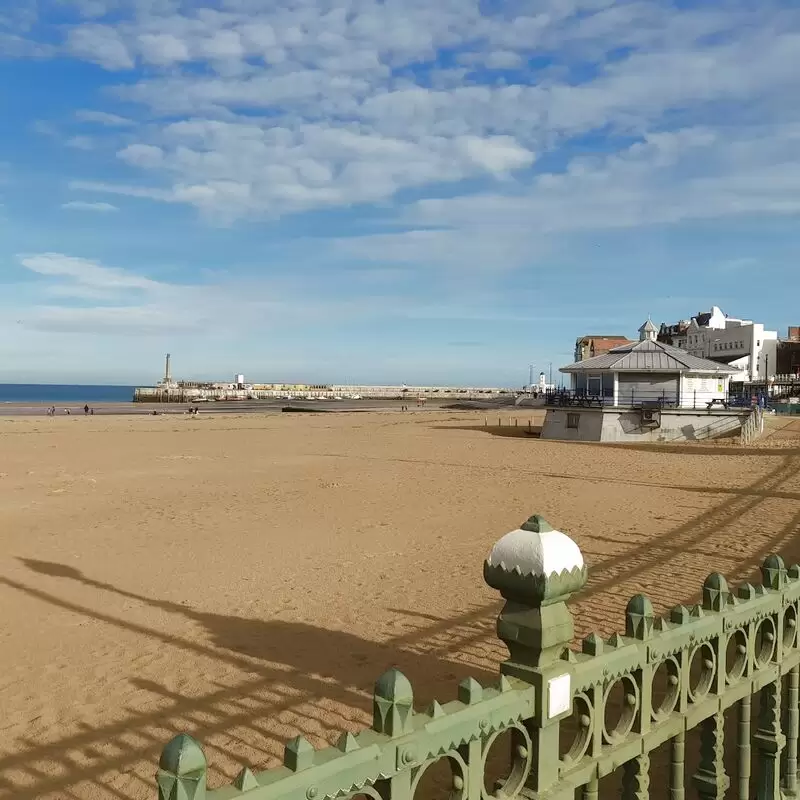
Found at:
<point>328,666</point>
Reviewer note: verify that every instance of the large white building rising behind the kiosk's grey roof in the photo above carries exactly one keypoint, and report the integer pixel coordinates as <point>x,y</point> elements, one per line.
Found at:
<point>742,344</point>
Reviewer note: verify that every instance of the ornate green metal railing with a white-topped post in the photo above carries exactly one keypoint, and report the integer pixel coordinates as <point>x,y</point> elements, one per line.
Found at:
<point>572,716</point>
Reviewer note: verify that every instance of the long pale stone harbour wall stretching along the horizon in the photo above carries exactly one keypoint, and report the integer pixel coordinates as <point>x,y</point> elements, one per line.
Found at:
<point>181,393</point>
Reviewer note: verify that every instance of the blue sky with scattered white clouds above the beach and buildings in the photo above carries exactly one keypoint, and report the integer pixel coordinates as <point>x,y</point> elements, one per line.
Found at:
<point>397,191</point>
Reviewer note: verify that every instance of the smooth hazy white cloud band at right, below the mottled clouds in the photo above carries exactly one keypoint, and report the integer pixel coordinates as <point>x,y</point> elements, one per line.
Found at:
<point>670,177</point>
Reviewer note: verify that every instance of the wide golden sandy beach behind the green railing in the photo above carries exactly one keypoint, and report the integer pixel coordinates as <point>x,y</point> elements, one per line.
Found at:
<point>246,578</point>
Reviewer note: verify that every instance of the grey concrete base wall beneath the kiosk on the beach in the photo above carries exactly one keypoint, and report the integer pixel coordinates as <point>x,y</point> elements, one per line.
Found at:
<point>621,425</point>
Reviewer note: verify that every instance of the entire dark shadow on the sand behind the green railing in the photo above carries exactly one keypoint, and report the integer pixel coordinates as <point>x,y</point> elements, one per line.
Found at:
<point>326,667</point>
